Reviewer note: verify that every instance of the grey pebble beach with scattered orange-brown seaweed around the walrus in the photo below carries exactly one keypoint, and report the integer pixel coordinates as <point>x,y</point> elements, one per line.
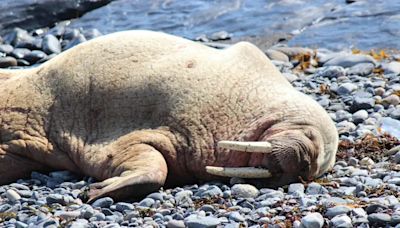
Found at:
<point>359,89</point>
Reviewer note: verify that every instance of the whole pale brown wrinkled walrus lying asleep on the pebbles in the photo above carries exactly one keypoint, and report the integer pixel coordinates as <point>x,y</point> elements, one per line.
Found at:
<point>138,110</point>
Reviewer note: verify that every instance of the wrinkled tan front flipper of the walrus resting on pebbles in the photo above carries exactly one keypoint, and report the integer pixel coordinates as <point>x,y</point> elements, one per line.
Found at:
<point>134,167</point>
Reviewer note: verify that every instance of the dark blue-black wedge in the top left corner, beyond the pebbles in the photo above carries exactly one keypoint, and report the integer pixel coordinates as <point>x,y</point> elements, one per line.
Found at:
<point>28,14</point>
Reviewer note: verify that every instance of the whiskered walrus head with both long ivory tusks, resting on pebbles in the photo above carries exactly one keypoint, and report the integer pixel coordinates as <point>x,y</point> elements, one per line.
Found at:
<point>281,157</point>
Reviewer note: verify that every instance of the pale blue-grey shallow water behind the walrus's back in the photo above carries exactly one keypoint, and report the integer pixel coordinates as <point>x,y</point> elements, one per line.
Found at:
<point>332,24</point>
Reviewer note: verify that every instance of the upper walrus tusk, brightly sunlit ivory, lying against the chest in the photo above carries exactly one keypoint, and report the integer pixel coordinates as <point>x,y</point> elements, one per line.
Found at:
<point>251,147</point>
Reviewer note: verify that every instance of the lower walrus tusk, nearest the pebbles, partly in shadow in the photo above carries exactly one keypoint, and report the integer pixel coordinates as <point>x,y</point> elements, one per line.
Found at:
<point>242,172</point>
